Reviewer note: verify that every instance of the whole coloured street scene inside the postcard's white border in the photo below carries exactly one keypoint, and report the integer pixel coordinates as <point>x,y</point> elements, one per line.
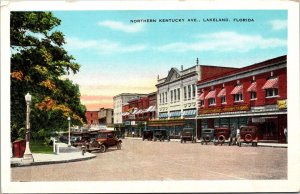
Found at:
<point>138,95</point>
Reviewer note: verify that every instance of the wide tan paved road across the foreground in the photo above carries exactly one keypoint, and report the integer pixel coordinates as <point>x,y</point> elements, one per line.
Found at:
<point>147,160</point>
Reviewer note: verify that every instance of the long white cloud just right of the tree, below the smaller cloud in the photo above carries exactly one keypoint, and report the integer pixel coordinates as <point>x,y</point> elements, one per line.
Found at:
<point>102,46</point>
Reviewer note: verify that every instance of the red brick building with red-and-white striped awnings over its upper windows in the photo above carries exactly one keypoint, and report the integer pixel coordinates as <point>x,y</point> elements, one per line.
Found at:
<point>255,95</point>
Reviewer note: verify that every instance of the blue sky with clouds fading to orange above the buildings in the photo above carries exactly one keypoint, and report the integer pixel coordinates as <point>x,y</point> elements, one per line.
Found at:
<point>118,54</point>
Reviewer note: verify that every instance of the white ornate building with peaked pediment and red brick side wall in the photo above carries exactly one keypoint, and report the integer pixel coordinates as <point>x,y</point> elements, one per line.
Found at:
<point>177,97</point>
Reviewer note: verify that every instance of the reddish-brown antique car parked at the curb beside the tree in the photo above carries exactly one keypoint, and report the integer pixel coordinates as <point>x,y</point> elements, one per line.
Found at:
<point>102,141</point>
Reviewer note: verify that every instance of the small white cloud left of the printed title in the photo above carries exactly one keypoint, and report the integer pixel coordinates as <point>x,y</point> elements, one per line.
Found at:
<point>116,25</point>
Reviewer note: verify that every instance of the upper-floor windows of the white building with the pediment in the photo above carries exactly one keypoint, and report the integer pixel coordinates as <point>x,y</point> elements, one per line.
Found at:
<point>189,92</point>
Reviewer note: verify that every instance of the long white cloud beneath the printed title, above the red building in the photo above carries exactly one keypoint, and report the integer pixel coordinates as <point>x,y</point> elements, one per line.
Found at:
<point>223,42</point>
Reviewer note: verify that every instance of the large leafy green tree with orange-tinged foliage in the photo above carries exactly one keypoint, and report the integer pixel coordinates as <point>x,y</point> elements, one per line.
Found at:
<point>38,66</point>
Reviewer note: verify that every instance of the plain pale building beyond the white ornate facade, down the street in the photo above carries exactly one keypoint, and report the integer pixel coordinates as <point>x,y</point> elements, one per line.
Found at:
<point>118,102</point>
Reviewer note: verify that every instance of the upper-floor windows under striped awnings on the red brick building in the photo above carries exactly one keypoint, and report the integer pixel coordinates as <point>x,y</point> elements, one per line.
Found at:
<point>271,92</point>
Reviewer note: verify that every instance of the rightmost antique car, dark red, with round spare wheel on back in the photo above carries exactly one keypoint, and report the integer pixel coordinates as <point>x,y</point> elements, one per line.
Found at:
<point>248,134</point>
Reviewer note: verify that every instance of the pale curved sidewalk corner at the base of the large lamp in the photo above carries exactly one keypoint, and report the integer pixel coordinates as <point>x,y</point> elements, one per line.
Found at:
<point>67,154</point>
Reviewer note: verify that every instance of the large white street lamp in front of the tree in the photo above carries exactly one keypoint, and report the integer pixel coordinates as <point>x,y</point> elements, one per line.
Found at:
<point>27,157</point>
